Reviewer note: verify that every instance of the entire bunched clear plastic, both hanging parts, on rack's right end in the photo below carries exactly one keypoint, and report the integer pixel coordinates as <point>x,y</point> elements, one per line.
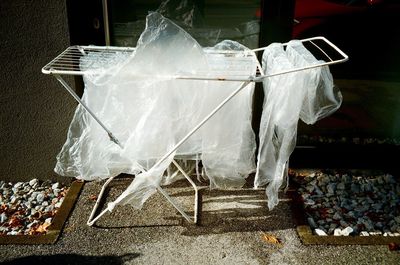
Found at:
<point>309,95</point>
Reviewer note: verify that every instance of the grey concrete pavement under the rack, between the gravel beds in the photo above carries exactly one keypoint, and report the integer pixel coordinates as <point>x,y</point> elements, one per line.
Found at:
<point>231,232</point>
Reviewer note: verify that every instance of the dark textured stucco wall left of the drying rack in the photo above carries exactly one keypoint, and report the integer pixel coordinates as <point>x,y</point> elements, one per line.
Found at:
<point>35,109</point>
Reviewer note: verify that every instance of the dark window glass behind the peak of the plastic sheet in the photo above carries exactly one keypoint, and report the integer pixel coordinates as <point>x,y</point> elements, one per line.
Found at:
<point>208,21</point>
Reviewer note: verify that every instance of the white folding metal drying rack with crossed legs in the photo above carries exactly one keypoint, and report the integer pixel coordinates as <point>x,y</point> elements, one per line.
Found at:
<point>68,63</point>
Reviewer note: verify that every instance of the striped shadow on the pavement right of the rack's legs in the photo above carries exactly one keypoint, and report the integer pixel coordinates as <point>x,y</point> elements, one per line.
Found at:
<point>239,211</point>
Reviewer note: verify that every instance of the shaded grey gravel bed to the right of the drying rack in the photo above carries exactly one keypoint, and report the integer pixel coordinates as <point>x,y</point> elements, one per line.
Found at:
<point>346,204</point>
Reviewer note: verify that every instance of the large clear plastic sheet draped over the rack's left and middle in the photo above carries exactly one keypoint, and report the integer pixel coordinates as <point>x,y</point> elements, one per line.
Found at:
<point>138,97</point>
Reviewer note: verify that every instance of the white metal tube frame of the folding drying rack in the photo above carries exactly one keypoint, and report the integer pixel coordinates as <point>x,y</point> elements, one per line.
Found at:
<point>48,69</point>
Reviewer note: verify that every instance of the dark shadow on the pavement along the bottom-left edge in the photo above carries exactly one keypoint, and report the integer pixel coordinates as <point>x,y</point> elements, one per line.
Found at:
<point>71,259</point>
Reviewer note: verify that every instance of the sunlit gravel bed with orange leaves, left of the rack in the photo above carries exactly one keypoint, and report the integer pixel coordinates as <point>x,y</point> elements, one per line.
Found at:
<point>28,208</point>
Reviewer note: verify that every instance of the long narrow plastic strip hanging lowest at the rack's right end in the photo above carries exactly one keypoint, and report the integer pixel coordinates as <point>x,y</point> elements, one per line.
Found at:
<point>278,127</point>
